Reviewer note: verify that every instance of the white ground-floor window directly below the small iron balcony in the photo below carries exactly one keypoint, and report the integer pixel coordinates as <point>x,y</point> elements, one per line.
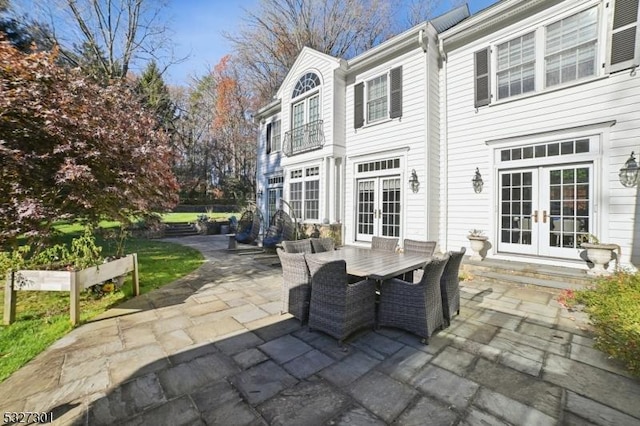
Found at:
<point>304,193</point>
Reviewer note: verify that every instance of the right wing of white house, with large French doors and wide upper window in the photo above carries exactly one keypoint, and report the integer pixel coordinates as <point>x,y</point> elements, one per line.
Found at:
<point>543,98</point>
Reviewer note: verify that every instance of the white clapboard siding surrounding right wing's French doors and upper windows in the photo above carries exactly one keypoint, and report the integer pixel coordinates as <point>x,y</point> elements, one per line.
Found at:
<point>607,97</point>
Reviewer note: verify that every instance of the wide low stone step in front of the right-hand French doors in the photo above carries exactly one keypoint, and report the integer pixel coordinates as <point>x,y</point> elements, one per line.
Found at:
<point>526,273</point>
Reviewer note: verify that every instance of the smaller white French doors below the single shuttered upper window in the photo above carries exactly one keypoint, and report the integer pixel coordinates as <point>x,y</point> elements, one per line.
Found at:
<point>378,207</point>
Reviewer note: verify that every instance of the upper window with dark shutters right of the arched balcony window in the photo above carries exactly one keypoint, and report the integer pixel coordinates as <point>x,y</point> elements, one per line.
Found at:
<point>378,98</point>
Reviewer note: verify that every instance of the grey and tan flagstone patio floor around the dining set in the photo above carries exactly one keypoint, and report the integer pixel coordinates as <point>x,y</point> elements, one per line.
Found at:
<point>213,348</point>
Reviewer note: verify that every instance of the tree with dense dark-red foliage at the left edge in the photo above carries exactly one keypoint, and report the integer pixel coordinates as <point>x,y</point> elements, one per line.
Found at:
<point>71,149</point>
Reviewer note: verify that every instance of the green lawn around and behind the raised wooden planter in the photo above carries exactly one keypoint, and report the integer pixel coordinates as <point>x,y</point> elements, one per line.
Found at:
<point>43,317</point>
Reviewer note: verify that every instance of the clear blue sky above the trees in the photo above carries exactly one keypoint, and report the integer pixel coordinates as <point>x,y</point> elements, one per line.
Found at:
<point>198,26</point>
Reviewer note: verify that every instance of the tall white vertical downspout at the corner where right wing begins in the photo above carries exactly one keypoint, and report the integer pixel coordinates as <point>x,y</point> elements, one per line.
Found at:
<point>444,138</point>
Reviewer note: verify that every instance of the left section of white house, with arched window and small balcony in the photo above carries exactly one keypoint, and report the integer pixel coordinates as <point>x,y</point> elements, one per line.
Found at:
<point>341,139</point>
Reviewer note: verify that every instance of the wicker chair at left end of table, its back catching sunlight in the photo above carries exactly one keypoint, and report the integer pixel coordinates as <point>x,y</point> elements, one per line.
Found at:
<point>296,285</point>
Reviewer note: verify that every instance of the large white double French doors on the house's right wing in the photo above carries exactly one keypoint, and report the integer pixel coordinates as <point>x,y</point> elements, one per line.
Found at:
<point>545,211</point>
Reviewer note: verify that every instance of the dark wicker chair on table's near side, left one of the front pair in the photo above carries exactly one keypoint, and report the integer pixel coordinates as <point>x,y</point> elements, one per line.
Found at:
<point>337,307</point>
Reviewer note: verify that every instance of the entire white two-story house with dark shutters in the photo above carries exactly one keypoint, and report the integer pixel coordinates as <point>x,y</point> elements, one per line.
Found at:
<point>539,97</point>
